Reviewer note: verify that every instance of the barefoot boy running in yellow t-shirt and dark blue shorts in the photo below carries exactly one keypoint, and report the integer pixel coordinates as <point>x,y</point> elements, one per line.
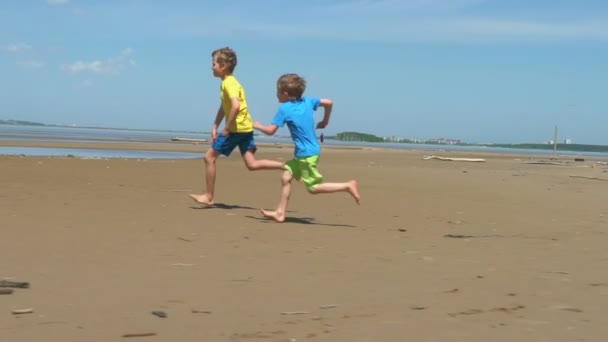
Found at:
<point>238,128</point>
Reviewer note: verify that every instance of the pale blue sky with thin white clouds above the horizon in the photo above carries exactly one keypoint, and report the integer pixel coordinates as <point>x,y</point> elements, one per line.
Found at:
<point>477,70</point>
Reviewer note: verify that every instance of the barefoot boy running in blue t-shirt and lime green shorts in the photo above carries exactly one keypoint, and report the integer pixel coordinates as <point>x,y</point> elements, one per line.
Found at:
<point>298,113</point>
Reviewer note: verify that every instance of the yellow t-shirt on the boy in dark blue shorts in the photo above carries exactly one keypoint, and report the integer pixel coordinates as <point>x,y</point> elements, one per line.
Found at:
<point>231,88</point>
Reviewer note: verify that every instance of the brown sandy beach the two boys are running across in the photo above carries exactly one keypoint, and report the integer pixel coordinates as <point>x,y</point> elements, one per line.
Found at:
<point>508,249</point>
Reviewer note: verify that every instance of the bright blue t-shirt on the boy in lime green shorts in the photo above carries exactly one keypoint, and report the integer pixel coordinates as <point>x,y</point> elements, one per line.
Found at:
<point>300,119</point>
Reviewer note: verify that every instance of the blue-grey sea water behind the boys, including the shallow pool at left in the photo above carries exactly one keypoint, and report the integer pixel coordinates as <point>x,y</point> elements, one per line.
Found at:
<point>112,135</point>
